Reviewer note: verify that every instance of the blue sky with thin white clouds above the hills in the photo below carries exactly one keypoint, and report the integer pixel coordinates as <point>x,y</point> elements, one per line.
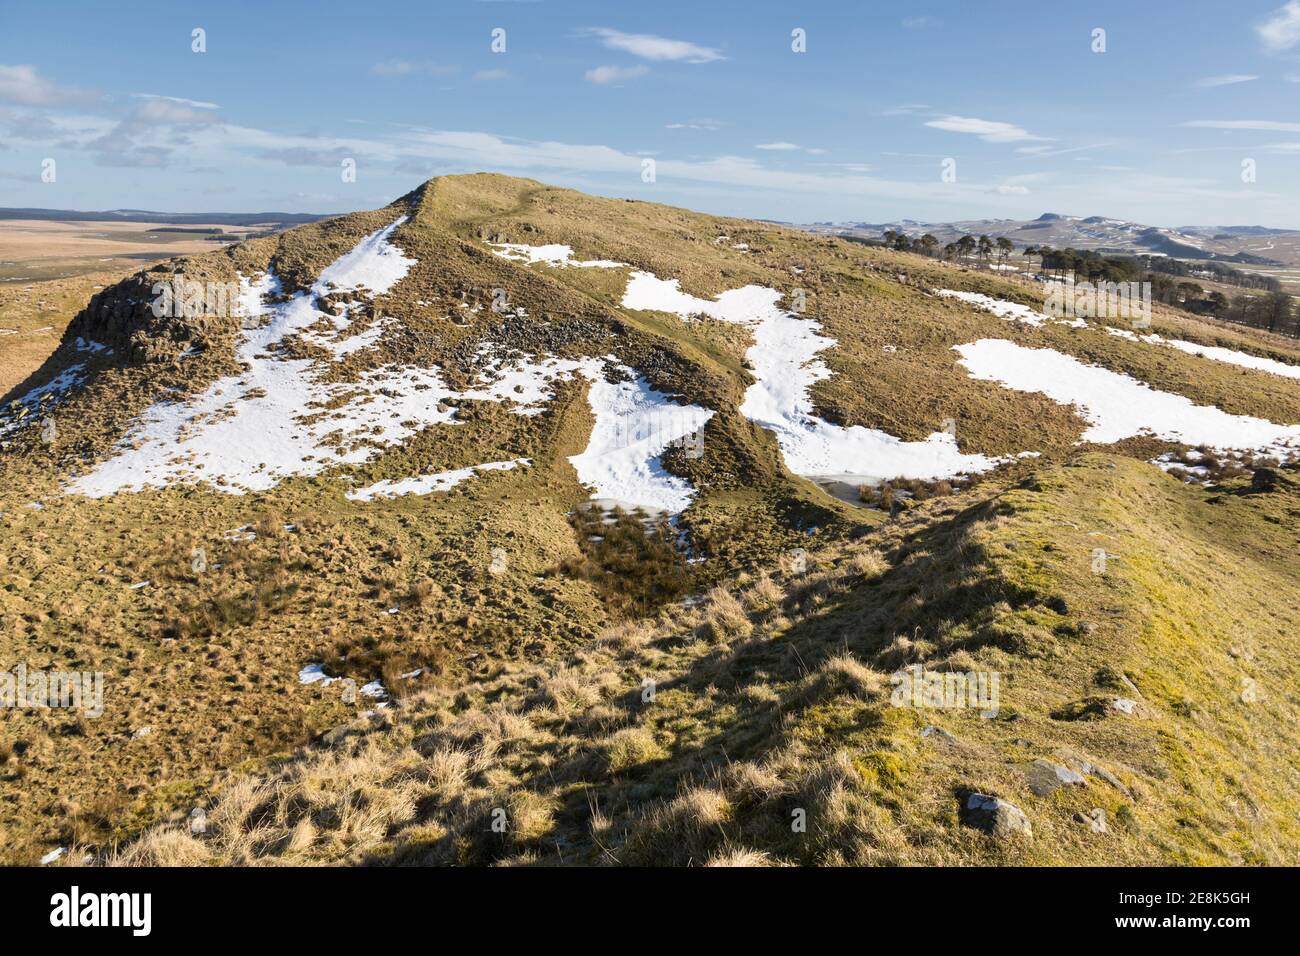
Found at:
<point>1155,129</point>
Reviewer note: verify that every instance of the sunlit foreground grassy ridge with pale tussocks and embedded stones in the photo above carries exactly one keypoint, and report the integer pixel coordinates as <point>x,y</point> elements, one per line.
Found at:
<point>774,698</point>
